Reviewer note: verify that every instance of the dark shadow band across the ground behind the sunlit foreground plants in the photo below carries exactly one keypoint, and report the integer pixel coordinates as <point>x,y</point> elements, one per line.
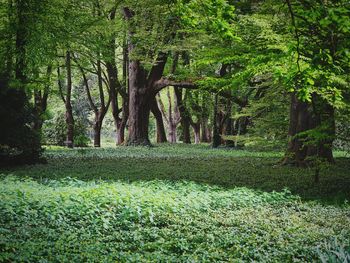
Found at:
<point>260,173</point>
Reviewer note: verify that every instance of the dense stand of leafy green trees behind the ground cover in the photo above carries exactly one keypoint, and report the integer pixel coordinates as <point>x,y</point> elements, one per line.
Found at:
<point>258,74</point>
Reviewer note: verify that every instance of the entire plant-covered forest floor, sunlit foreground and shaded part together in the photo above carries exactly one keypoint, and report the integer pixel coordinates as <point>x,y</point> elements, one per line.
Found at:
<point>173,203</point>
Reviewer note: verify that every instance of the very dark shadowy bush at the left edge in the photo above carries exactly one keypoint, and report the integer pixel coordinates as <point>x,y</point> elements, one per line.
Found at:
<point>19,142</point>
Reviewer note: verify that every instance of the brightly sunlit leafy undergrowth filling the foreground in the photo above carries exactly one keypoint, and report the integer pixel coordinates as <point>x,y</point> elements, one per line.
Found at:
<point>69,220</point>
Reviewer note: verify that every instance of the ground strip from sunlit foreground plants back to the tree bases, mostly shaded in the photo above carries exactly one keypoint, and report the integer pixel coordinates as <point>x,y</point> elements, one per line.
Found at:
<point>197,163</point>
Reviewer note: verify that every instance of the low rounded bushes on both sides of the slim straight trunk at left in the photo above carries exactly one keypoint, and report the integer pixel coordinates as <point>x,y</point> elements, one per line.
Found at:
<point>54,131</point>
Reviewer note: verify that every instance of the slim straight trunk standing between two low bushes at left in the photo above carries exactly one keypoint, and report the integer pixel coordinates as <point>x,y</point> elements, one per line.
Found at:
<point>69,111</point>
